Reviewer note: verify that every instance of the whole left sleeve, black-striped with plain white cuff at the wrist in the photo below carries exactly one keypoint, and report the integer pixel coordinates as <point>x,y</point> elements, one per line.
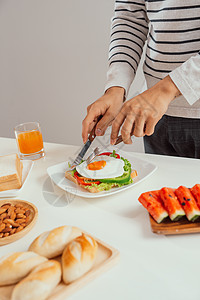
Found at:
<point>129,29</point>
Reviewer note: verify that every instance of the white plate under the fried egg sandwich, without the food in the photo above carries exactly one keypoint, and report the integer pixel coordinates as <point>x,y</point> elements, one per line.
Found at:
<point>57,174</point>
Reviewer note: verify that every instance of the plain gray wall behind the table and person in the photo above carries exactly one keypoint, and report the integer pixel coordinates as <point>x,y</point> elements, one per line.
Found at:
<point>53,63</point>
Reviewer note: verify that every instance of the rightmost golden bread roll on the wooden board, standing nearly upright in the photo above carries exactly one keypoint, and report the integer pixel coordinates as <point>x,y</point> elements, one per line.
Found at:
<point>78,257</point>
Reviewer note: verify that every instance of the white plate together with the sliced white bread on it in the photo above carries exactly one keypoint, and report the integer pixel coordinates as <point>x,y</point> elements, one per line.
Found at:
<point>13,174</point>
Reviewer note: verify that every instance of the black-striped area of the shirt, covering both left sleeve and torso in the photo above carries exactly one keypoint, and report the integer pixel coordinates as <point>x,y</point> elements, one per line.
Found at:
<point>172,30</point>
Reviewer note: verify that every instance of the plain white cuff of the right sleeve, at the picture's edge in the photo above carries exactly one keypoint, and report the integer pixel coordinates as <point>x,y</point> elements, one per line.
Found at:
<point>187,79</point>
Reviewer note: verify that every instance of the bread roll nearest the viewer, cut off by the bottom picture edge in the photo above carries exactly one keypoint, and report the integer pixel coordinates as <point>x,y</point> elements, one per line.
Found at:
<point>39,283</point>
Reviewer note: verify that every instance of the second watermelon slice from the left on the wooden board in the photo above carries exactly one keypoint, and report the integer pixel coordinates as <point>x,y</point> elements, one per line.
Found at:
<point>171,204</point>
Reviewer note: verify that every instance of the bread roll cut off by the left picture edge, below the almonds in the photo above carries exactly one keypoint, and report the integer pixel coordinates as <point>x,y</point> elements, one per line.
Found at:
<point>15,266</point>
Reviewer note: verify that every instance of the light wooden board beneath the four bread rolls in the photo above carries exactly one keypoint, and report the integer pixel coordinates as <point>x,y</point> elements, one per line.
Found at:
<point>107,257</point>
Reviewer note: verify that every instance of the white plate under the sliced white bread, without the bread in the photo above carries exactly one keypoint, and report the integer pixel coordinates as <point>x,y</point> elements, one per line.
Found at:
<point>27,166</point>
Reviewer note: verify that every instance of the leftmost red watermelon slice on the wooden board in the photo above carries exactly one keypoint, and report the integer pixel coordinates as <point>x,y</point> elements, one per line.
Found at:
<point>153,204</point>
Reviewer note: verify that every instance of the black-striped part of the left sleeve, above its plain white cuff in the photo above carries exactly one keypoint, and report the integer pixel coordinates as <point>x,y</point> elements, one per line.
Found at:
<point>129,32</point>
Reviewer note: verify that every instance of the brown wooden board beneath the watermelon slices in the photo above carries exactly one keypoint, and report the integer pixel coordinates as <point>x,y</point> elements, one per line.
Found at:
<point>167,227</point>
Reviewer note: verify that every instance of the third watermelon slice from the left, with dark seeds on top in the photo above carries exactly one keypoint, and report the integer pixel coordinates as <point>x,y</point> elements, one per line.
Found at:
<point>188,203</point>
